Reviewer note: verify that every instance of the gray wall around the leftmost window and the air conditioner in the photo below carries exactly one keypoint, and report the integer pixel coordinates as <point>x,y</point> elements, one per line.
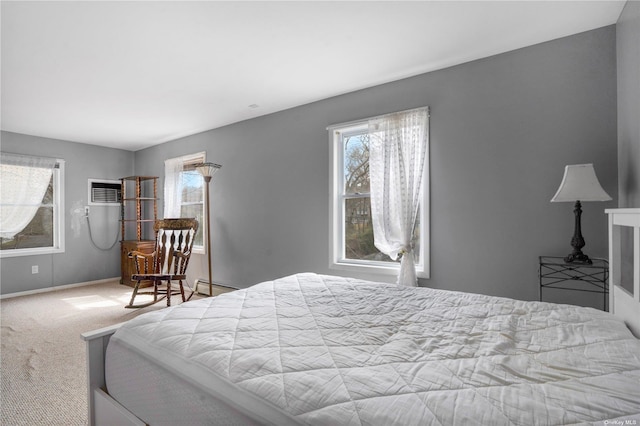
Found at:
<point>81,261</point>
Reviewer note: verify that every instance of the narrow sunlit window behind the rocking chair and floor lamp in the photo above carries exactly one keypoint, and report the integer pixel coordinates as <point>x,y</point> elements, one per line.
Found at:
<point>184,193</point>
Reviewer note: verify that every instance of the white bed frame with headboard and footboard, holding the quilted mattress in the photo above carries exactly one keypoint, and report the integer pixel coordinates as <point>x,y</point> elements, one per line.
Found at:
<point>104,410</point>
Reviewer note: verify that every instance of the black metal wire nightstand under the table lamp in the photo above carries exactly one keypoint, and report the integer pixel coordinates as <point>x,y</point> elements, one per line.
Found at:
<point>554,272</point>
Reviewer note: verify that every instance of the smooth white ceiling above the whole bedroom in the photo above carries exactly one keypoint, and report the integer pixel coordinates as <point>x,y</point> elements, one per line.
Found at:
<point>134,74</point>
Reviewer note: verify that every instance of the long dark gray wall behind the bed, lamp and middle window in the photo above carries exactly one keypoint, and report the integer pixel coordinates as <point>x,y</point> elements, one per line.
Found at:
<point>502,130</point>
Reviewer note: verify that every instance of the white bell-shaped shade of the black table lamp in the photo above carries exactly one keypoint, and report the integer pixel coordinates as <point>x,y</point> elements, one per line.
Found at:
<point>580,183</point>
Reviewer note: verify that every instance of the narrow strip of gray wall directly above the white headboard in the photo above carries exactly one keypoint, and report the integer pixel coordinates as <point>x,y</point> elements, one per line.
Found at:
<point>628,57</point>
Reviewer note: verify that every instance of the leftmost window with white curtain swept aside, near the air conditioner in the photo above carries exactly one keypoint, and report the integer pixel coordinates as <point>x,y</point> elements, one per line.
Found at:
<point>44,232</point>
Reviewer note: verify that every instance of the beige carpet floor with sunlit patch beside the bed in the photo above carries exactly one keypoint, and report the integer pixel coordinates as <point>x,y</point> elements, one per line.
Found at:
<point>42,357</point>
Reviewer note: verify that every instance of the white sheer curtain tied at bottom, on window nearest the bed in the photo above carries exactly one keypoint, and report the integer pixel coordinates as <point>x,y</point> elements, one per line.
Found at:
<point>399,144</point>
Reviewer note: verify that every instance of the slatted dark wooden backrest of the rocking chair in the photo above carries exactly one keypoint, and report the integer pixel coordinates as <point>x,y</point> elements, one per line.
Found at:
<point>174,243</point>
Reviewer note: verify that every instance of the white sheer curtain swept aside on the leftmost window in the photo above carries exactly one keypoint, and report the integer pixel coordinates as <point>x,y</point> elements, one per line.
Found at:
<point>23,182</point>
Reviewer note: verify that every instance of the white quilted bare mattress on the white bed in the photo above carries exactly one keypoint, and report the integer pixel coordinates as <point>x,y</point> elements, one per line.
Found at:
<point>325,350</point>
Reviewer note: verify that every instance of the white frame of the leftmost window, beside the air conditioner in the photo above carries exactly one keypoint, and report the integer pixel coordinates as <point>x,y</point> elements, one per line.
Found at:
<point>58,220</point>
